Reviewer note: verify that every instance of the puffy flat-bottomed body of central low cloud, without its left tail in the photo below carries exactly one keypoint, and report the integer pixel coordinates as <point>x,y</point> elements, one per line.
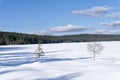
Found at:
<point>67,28</point>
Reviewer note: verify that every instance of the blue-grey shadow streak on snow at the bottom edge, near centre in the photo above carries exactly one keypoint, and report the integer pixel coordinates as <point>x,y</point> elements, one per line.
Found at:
<point>64,77</point>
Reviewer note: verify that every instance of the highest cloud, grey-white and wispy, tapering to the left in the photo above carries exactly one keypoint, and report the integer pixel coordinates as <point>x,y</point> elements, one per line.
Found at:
<point>98,11</point>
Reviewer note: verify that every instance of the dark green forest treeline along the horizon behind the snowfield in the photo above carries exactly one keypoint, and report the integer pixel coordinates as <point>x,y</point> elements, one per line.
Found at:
<point>7,38</point>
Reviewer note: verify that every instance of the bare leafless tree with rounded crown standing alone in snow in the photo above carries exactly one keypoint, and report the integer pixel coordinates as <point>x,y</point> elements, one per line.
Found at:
<point>95,48</point>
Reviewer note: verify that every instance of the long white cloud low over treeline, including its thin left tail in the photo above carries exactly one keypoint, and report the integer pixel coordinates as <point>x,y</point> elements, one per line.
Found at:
<point>63,29</point>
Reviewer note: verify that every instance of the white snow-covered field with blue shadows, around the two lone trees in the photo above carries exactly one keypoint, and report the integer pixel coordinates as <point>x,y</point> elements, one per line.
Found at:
<point>63,61</point>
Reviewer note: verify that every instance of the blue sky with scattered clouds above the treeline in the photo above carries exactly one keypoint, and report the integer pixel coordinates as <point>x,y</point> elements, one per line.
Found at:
<point>60,17</point>
